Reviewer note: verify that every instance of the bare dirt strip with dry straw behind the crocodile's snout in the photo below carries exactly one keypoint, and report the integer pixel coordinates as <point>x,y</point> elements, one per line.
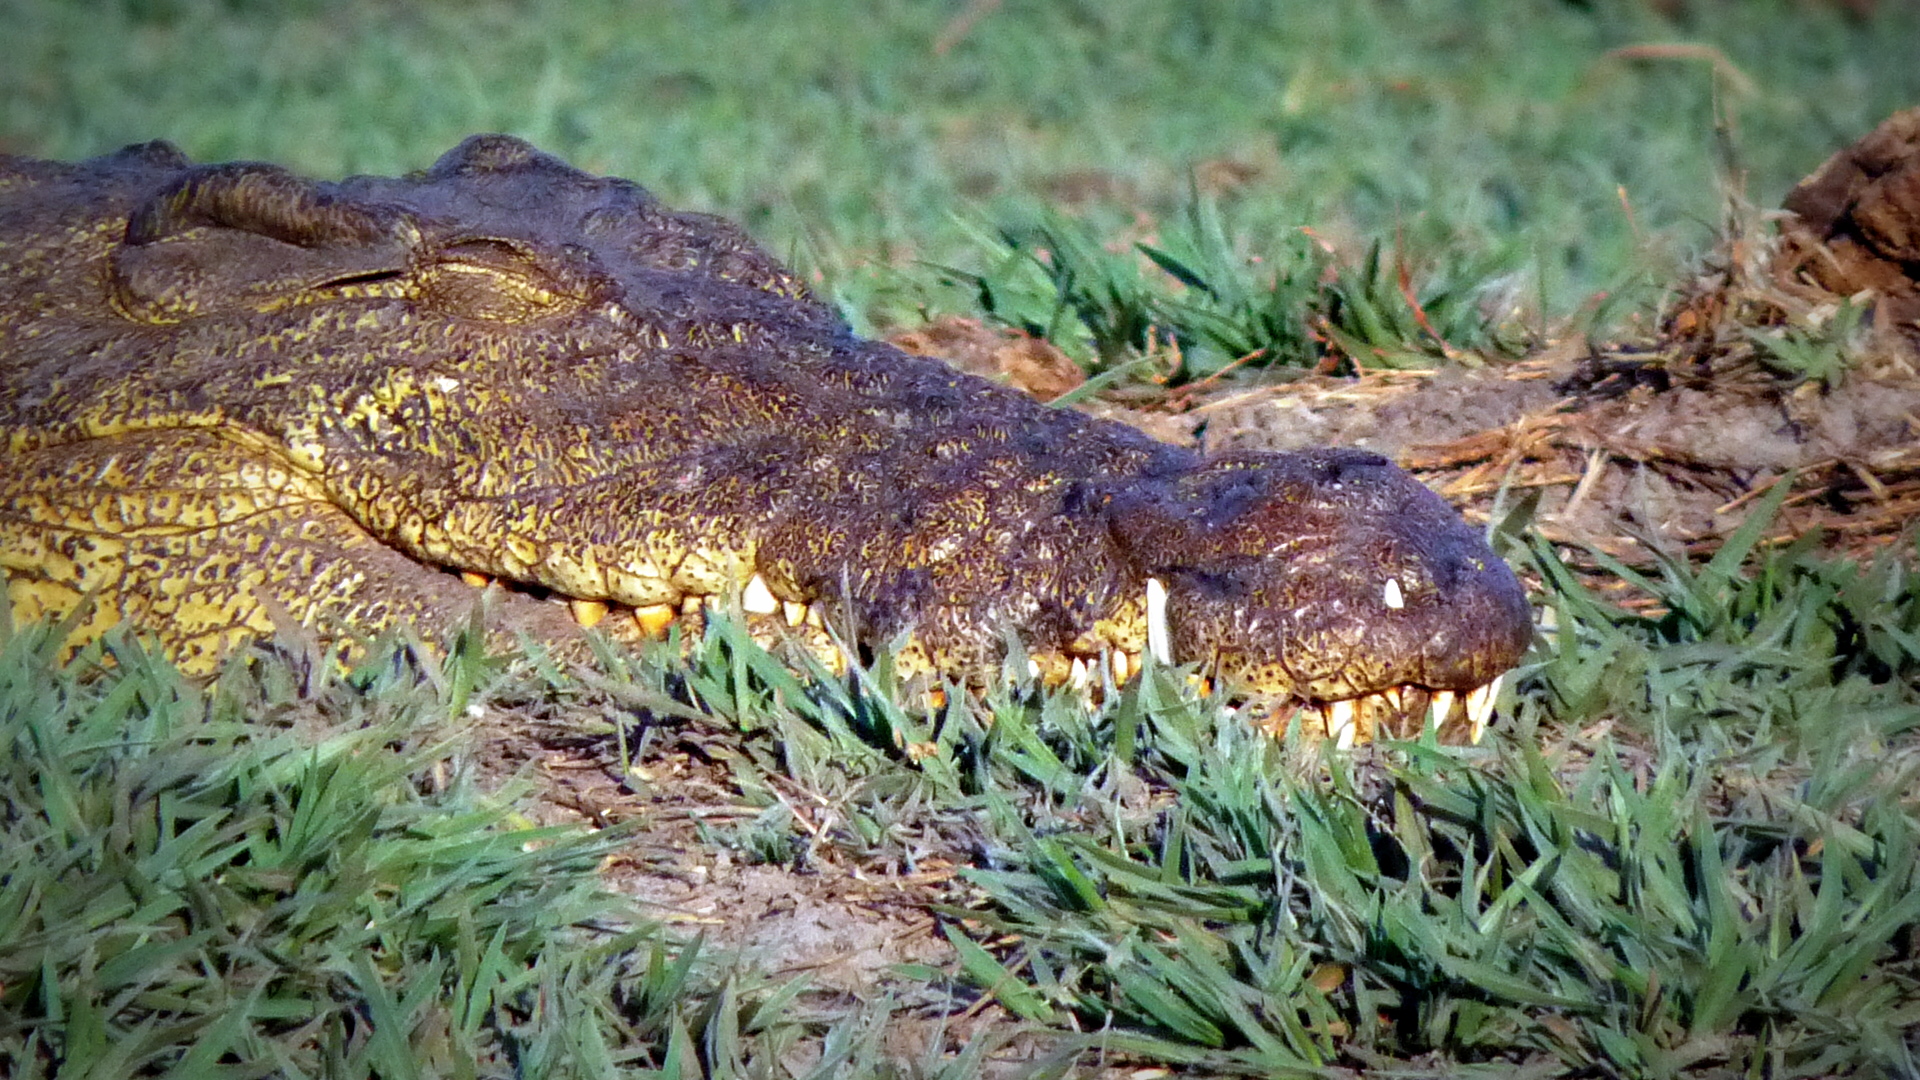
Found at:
<point>1625,453</point>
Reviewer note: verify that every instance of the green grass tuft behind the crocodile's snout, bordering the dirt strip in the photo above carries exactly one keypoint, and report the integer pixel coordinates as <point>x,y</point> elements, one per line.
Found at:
<point>1193,308</point>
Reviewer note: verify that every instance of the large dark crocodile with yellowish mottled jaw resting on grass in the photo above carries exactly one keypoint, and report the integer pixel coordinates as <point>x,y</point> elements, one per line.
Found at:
<point>233,399</point>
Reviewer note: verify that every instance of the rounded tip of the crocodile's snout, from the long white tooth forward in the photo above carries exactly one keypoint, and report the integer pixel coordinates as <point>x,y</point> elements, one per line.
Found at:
<point>1328,577</point>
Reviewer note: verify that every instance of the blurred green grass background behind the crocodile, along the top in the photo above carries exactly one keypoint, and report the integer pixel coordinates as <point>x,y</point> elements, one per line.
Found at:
<point>1564,141</point>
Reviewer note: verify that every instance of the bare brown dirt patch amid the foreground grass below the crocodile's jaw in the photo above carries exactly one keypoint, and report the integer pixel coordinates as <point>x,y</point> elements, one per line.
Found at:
<point>809,914</point>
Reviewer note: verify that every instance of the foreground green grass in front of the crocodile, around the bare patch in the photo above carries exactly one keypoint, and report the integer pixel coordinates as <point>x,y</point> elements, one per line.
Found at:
<point>1689,850</point>
